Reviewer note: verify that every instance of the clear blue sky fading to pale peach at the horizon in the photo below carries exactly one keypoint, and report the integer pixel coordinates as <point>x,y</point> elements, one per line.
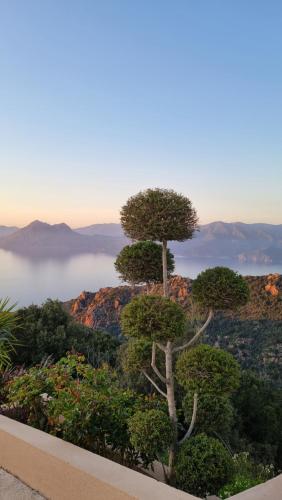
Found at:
<point>102,99</point>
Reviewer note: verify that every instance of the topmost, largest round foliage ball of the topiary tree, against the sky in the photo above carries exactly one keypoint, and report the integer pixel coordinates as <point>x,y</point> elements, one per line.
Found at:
<point>159,215</point>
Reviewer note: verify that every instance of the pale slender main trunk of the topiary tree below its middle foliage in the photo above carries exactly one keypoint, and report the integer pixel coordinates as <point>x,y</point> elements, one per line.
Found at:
<point>171,405</point>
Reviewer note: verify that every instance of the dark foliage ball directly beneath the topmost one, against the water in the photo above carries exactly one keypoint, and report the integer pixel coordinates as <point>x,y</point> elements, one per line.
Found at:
<point>142,262</point>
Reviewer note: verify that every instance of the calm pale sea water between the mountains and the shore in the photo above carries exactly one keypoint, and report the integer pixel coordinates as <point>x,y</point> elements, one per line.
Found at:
<point>28,281</point>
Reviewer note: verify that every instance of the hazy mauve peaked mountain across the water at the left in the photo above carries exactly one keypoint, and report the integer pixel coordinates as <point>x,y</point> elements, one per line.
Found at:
<point>58,240</point>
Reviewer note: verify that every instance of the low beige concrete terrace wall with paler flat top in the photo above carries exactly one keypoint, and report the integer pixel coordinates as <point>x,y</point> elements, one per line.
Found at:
<point>62,471</point>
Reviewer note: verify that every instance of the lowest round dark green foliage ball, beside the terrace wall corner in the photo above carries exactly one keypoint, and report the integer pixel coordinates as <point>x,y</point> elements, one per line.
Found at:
<point>203,466</point>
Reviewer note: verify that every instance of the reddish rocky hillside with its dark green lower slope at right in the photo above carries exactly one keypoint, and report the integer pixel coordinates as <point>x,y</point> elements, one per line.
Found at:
<point>253,334</point>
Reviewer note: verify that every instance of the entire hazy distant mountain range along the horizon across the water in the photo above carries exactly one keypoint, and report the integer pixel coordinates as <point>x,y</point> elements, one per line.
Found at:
<point>222,241</point>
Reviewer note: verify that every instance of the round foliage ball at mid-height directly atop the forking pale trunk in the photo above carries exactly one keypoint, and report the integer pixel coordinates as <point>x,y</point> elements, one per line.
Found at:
<point>154,317</point>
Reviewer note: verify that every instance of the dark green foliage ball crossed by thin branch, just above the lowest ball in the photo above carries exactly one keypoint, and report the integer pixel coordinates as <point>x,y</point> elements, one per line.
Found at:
<point>214,413</point>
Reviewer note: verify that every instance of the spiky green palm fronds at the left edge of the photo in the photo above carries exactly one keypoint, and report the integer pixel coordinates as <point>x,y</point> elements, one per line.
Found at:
<point>8,322</point>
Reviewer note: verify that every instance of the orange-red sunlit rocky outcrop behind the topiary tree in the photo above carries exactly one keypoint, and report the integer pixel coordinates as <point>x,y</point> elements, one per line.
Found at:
<point>101,310</point>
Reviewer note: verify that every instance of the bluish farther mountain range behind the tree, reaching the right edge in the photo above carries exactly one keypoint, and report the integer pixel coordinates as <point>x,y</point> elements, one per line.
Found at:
<point>259,243</point>
